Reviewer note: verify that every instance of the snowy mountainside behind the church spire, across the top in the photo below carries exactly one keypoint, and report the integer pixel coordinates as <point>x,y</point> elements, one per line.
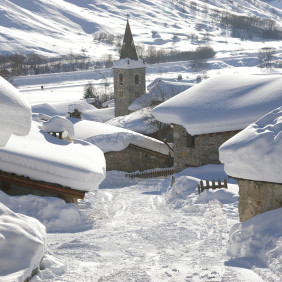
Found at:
<point>57,27</point>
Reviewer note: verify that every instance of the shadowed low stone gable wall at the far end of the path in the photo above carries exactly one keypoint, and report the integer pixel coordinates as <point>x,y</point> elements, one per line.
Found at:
<point>135,158</point>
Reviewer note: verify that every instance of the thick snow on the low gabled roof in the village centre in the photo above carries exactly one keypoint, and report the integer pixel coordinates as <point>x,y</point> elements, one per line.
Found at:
<point>111,138</point>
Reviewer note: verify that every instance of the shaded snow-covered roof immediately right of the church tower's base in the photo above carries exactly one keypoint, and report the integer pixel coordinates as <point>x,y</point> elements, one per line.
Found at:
<point>161,91</point>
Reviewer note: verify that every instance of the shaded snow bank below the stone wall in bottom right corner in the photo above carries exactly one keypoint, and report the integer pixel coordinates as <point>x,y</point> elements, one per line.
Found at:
<point>261,238</point>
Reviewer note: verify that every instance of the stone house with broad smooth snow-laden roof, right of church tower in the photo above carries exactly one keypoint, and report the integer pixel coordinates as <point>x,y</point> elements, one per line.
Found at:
<point>208,114</point>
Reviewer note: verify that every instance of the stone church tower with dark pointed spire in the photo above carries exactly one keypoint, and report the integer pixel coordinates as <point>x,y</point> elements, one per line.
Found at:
<point>129,75</point>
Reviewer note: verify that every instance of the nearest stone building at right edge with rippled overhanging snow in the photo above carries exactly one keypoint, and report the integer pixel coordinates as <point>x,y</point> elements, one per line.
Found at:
<point>253,158</point>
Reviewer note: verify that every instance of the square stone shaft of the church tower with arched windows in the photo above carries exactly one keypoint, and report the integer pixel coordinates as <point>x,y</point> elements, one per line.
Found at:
<point>130,90</point>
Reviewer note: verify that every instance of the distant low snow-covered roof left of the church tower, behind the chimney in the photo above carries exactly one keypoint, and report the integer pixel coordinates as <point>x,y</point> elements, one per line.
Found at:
<point>62,108</point>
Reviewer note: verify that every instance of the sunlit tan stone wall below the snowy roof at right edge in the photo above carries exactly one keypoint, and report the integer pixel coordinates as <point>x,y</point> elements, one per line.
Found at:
<point>257,197</point>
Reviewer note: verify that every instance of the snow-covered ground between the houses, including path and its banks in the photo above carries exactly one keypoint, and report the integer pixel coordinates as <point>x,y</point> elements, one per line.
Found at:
<point>146,230</point>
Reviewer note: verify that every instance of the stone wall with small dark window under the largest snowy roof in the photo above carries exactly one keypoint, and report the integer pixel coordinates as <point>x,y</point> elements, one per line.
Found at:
<point>204,151</point>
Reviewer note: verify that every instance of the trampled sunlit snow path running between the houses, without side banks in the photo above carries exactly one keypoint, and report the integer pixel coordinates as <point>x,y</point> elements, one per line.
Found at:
<point>138,237</point>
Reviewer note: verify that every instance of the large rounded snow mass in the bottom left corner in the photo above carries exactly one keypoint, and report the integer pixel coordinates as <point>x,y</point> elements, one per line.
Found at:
<point>22,245</point>
